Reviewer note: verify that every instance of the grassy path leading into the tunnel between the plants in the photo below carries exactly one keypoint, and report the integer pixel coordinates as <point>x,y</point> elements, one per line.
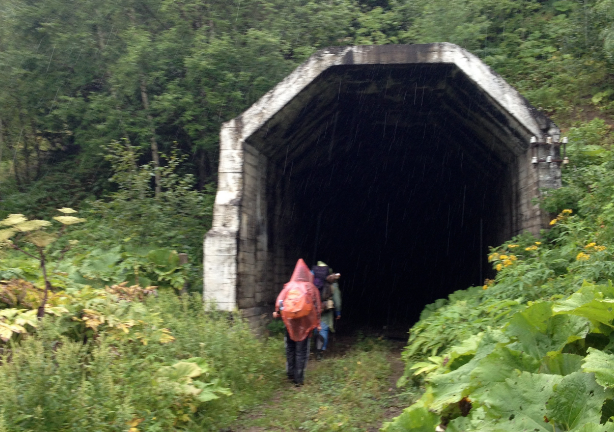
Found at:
<point>352,389</point>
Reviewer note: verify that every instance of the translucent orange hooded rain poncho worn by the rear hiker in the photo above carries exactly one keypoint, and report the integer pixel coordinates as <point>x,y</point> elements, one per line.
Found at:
<point>299,328</point>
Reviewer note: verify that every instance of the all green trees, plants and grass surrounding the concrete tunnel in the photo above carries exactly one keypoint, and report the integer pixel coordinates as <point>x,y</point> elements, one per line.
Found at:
<point>113,109</point>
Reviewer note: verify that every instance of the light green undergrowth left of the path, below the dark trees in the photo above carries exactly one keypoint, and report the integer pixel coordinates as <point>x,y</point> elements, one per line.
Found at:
<point>87,343</point>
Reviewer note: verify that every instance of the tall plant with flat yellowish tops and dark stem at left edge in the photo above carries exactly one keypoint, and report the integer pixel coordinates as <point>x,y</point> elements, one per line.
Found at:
<point>33,238</point>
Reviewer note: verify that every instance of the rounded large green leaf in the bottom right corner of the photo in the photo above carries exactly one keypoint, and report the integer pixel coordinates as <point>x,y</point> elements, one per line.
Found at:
<point>576,400</point>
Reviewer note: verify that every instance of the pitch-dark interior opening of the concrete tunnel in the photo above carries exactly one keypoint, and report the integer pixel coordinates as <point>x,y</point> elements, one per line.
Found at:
<point>398,179</point>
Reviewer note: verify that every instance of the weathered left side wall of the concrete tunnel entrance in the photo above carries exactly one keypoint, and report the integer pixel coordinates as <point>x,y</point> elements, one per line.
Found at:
<point>246,245</point>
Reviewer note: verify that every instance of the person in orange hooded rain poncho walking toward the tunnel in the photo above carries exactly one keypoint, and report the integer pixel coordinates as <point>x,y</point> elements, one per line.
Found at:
<point>300,306</point>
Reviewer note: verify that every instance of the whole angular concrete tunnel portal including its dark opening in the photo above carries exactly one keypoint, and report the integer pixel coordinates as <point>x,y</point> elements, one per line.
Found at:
<point>397,165</point>
